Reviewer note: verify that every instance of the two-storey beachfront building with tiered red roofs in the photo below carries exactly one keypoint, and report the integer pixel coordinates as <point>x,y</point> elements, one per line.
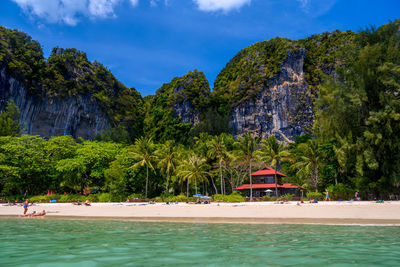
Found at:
<point>264,184</point>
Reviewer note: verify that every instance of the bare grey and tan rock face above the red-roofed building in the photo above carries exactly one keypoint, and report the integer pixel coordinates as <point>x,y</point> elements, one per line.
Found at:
<point>282,108</point>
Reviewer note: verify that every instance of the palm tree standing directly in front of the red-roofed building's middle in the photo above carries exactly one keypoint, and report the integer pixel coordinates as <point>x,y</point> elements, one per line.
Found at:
<point>273,152</point>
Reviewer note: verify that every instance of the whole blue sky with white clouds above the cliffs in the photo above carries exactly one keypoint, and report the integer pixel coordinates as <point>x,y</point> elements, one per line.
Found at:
<point>146,43</point>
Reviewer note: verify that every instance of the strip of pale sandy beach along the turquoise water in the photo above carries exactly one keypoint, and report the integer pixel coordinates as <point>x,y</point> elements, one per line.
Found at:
<point>362,213</point>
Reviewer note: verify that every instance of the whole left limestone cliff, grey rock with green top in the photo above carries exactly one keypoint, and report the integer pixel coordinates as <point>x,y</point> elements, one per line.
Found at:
<point>65,94</point>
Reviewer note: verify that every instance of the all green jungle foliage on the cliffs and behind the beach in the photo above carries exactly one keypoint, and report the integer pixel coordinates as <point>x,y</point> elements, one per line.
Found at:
<point>354,145</point>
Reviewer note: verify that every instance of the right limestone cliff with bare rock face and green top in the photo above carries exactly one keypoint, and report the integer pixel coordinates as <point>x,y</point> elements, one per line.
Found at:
<point>268,88</point>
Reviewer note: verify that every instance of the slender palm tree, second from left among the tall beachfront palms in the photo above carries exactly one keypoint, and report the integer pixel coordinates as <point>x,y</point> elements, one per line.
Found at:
<point>167,158</point>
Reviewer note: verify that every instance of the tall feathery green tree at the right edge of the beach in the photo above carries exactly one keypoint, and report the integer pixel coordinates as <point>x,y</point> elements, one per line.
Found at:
<point>361,109</point>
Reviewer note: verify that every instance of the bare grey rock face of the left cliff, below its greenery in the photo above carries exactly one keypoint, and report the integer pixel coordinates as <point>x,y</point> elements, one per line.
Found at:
<point>79,116</point>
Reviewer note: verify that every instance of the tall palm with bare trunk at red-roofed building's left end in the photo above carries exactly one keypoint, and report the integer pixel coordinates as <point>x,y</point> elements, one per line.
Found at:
<point>246,147</point>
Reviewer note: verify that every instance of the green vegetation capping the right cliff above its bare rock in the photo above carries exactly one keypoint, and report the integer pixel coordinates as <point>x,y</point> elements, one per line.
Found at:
<point>250,70</point>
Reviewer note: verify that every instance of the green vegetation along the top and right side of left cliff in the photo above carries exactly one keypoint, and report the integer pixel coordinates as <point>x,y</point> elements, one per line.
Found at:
<point>67,73</point>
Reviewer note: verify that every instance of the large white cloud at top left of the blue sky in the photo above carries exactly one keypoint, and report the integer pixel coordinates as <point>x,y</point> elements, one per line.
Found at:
<point>69,11</point>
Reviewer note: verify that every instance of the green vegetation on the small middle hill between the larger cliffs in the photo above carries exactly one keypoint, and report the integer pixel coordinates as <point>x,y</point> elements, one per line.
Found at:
<point>190,94</point>
